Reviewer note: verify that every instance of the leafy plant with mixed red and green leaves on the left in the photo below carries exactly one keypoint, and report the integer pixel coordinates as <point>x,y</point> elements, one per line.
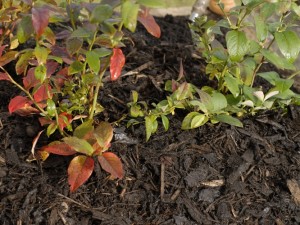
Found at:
<point>64,51</point>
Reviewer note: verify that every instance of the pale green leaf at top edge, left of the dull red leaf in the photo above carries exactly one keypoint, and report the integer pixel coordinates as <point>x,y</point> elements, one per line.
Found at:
<point>129,13</point>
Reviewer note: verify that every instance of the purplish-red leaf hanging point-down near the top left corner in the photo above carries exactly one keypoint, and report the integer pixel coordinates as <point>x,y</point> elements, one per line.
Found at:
<point>40,20</point>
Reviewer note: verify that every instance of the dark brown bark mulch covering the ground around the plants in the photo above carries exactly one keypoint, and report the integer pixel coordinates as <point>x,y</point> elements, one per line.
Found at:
<point>211,175</point>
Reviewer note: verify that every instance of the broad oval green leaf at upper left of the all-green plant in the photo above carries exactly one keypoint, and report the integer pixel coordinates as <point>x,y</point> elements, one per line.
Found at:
<point>237,45</point>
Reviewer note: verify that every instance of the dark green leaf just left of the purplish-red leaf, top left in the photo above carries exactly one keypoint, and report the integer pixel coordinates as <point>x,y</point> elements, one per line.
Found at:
<point>25,29</point>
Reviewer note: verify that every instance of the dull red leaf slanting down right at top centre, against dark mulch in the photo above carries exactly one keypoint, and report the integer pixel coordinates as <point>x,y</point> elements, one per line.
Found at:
<point>149,22</point>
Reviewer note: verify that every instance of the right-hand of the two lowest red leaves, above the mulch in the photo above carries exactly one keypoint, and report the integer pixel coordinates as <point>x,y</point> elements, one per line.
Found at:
<point>111,164</point>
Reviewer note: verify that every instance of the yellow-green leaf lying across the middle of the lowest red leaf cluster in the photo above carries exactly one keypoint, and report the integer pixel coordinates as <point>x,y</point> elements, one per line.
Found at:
<point>79,145</point>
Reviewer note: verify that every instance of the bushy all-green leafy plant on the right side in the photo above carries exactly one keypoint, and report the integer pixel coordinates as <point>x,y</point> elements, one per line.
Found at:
<point>235,48</point>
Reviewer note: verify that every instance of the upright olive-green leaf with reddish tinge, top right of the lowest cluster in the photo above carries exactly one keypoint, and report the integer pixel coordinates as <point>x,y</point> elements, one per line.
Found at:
<point>104,134</point>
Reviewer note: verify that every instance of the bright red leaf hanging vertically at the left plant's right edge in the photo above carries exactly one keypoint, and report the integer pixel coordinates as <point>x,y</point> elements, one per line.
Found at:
<point>117,62</point>
